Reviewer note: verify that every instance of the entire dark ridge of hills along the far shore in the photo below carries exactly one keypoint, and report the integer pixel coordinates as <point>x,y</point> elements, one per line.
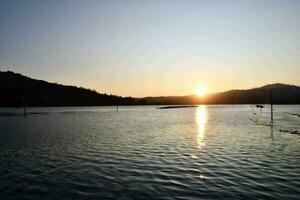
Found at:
<point>19,90</point>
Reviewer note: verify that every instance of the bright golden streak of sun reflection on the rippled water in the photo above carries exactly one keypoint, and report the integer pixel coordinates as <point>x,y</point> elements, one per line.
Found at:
<point>201,119</point>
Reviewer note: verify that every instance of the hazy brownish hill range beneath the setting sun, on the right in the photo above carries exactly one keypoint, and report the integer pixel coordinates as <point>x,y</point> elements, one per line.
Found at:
<point>282,94</point>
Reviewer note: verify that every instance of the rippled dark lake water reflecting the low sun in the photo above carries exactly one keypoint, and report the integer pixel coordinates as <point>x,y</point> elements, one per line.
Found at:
<point>208,152</point>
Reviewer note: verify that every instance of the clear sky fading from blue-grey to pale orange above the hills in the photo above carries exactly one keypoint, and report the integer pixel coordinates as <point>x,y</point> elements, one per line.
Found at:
<point>152,48</point>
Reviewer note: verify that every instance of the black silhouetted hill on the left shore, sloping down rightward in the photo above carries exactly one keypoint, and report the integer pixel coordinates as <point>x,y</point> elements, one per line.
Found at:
<point>18,90</point>
